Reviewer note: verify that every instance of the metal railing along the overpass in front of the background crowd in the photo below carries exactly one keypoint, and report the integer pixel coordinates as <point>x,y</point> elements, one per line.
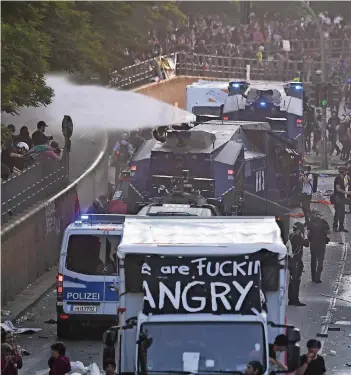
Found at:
<point>230,66</point>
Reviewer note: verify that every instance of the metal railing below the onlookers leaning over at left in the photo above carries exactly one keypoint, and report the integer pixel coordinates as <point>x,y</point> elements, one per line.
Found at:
<point>36,183</point>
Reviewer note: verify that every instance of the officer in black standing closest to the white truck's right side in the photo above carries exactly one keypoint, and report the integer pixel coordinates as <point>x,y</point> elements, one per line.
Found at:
<point>298,242</point>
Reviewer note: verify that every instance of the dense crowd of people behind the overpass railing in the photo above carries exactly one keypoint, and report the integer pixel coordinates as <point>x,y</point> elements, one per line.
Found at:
<point>265,34</point>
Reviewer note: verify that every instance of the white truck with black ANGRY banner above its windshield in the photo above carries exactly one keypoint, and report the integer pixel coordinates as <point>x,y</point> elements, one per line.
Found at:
<point>200,295</point>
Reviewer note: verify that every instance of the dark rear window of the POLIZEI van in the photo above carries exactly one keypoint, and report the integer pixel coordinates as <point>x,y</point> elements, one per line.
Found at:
<point>92,255</point>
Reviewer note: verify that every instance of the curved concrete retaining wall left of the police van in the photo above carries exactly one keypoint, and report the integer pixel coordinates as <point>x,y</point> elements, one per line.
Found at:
<point>31,244</point>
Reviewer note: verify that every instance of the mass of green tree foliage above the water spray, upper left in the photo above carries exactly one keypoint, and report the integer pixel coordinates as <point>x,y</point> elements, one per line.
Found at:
<point>83,37</point>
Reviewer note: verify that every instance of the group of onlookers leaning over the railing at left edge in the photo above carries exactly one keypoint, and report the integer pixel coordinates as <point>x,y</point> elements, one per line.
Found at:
<point>21,150</point>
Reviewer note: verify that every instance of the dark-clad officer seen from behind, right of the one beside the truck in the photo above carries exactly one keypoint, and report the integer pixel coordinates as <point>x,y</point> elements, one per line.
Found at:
<point>318,230</point>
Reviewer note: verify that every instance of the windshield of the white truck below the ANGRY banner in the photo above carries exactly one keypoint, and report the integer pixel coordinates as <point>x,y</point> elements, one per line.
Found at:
<point>215,347</point>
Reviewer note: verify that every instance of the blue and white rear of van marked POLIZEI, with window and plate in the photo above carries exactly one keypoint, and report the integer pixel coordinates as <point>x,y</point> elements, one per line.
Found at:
<point>87,268</point>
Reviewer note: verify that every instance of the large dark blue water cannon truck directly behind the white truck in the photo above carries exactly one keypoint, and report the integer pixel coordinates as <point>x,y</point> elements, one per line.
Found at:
<point>238,167</point>
